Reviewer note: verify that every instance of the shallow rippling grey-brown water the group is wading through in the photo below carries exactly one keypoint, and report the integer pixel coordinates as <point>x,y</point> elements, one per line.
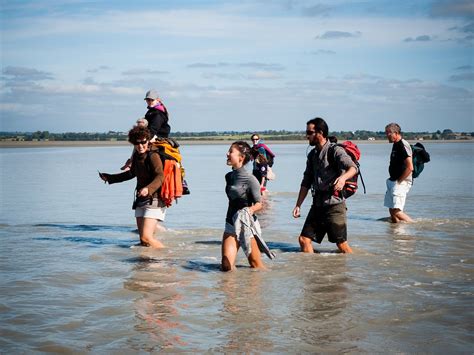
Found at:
<point>73,278</point>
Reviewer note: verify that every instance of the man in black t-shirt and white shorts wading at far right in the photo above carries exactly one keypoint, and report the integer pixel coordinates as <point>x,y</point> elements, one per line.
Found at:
<point>400,170</point>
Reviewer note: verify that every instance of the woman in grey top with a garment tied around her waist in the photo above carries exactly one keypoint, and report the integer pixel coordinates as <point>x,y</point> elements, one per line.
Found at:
<point>243,191</point>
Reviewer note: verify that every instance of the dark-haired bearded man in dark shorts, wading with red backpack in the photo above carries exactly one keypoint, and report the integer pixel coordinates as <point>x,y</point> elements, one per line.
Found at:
<point>326,177</point>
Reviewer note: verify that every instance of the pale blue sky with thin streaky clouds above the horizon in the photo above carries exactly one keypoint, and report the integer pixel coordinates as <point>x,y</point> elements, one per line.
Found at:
<point>247,65</point>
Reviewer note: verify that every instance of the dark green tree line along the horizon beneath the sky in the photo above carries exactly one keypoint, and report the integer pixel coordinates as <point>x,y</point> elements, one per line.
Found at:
<point>446,134</point>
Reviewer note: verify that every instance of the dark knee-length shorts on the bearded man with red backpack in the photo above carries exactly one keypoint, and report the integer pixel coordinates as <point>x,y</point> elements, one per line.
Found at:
<point>326,219</point>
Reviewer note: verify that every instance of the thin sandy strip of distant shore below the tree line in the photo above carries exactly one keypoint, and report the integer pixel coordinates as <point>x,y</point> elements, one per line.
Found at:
<point>52,144</point>
